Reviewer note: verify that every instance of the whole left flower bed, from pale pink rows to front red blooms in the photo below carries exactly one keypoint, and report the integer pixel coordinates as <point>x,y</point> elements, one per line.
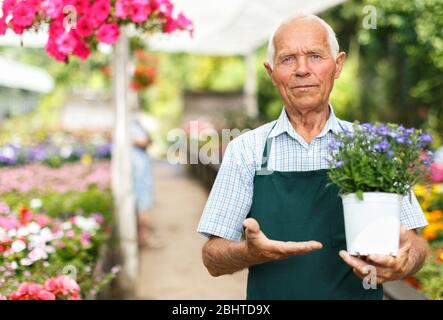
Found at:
<point>50,248</point>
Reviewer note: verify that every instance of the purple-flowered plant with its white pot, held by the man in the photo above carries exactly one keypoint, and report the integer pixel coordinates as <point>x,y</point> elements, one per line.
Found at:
<point>375,166</point>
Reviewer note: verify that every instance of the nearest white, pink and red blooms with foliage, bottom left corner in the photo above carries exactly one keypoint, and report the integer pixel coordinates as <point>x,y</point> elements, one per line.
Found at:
<point>38,252</point>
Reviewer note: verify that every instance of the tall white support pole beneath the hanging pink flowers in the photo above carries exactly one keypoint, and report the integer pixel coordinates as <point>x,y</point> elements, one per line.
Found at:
<point>121,169</point>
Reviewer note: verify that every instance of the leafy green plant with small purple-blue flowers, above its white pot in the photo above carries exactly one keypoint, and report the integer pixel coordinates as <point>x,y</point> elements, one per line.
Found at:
<point>377,158</point>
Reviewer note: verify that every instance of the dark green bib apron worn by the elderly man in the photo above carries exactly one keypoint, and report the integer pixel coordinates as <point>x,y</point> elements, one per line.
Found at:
<point>301,206</point>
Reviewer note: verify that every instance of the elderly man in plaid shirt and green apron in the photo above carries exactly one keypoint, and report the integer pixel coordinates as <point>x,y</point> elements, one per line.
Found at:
<point>272,188</point>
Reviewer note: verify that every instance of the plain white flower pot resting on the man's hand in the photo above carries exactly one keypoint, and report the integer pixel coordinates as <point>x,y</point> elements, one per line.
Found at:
<point>372,225</point>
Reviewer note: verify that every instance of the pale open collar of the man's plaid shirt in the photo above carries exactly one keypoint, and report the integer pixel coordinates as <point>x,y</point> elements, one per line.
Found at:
<point>284,125</point>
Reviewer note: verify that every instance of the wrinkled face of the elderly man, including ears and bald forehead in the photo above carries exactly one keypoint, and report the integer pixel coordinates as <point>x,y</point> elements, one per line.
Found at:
<point>304,68</point>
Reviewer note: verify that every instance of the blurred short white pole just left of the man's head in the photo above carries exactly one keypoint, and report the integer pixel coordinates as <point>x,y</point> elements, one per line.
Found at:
<point>250,88</point>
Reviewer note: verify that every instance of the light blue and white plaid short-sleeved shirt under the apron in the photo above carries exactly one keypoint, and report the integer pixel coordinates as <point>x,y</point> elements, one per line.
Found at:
<point>230,199</point>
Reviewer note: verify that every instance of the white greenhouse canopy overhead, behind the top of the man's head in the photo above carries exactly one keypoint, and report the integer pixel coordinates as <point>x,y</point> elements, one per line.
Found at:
<point>232,27</point>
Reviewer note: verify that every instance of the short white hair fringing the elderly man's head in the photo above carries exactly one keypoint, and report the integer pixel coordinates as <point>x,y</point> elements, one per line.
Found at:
<point>332,39</point>
